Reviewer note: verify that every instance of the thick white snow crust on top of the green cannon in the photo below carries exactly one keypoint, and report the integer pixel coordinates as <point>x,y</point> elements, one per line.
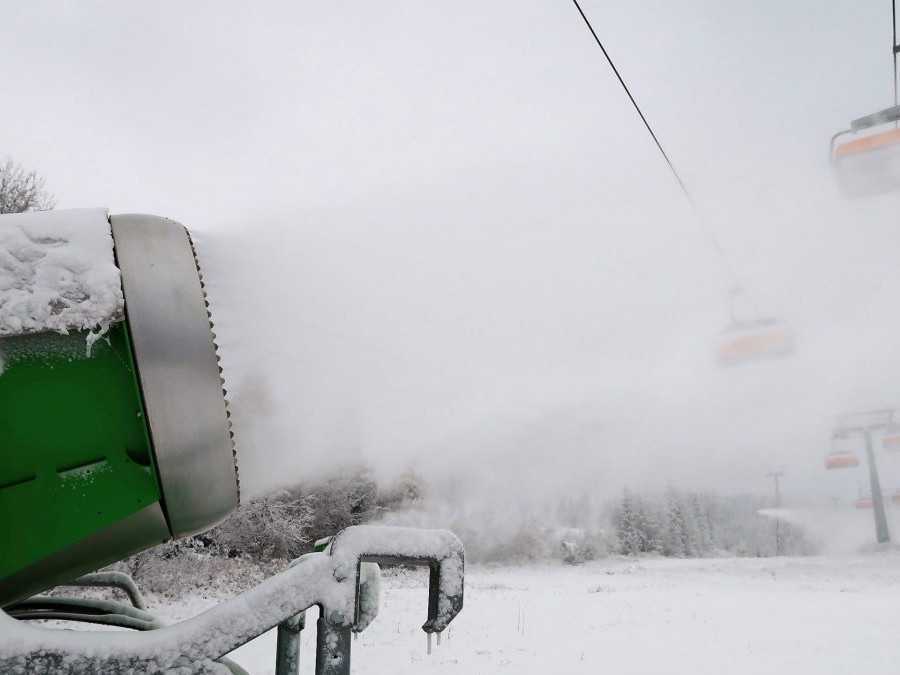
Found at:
<point>58,272</point>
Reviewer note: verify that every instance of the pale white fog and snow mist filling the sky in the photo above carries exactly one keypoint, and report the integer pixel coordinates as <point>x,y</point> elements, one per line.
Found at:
<point>436,234</point>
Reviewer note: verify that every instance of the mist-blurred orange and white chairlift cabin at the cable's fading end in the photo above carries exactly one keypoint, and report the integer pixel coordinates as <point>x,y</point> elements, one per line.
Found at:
<point>747,341</point>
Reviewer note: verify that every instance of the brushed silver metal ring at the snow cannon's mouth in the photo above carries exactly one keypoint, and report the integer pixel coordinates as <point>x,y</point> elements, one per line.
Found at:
<point>179,371</point>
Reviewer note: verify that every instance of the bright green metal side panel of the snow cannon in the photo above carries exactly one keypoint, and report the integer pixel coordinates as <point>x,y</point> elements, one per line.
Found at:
<point>75,454</point>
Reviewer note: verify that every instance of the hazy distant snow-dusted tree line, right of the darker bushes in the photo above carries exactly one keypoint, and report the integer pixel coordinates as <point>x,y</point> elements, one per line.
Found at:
<point>574,528</point>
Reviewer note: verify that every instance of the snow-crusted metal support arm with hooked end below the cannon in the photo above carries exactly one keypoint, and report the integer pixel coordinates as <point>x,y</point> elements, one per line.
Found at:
<point>332,580</point>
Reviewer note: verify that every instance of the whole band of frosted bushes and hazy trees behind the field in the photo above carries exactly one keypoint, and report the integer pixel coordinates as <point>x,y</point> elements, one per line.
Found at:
<point>261,535</point>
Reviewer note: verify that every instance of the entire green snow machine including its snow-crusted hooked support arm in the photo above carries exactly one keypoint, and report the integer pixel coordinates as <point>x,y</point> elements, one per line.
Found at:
<point>115,436</point>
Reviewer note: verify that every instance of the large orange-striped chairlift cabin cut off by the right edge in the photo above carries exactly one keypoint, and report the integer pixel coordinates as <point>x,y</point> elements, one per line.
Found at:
<point>869,162</point>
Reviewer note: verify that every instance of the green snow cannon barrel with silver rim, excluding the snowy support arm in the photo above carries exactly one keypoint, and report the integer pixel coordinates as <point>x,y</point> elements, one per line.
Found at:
<point>115,432</point>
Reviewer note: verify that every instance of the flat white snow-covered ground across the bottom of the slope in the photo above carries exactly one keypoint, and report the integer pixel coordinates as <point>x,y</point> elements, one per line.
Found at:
<point>786,615</point>
